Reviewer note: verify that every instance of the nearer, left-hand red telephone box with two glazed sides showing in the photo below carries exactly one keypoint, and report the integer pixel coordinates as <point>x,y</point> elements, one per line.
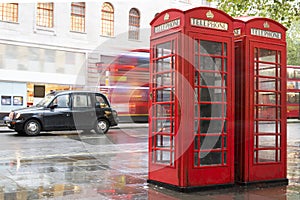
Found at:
<point>191,123</point>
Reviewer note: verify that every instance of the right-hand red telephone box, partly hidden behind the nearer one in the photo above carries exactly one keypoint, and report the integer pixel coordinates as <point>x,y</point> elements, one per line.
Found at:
<point>260,101</point>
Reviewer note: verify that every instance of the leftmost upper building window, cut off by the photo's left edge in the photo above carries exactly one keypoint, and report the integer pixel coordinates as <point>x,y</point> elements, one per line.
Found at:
<point>9,12</point>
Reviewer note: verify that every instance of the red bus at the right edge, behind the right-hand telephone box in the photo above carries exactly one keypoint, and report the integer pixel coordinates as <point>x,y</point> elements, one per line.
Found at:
<point>293,92</point>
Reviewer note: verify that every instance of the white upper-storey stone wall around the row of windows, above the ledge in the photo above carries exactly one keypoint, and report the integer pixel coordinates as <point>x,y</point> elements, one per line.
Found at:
<point>25,31</point>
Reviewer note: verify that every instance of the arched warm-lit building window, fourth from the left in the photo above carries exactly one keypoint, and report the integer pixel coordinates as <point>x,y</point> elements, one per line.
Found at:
<point>107,20</point>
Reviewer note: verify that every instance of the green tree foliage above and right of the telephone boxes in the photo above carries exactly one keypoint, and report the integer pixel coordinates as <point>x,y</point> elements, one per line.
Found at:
<point>286,12</point>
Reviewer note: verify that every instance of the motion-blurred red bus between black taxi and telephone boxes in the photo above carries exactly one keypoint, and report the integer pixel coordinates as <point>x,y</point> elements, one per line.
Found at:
<point>126,83</point>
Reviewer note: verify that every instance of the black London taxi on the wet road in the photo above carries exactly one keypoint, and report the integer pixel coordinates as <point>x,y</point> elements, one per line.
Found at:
<point>65,110</point>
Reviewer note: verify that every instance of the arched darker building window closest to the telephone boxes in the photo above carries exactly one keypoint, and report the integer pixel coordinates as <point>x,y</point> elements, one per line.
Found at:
<point>134,24</point>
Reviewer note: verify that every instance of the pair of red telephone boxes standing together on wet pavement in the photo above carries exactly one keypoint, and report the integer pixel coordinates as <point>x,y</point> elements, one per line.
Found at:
<point>192,139</point>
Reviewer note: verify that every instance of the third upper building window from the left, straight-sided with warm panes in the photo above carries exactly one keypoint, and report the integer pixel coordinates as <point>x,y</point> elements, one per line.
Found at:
<point>78,16</point>
